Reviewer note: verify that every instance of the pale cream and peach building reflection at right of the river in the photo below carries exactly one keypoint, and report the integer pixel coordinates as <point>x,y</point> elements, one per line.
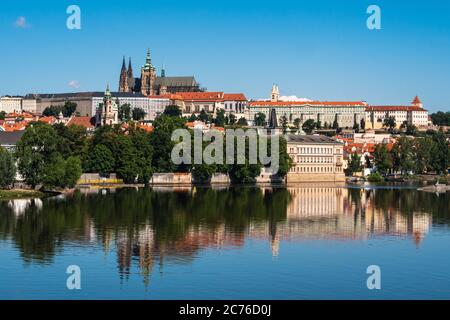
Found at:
<point>338,213</point>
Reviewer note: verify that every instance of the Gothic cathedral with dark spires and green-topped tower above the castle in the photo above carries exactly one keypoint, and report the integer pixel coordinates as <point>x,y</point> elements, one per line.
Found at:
<point>150,84</point>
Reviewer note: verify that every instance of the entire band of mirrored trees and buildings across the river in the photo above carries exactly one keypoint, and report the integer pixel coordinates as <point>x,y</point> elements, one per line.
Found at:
<point>150,227</point>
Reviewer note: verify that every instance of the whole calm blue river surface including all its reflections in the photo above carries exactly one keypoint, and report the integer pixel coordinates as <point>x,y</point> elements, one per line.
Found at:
<point>232,243</point>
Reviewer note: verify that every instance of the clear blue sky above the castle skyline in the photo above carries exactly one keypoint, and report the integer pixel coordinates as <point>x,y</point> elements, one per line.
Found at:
<point>317,49</point>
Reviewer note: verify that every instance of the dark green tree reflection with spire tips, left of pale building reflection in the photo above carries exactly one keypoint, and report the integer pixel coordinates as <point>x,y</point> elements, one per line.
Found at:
<point>142,223</point>
